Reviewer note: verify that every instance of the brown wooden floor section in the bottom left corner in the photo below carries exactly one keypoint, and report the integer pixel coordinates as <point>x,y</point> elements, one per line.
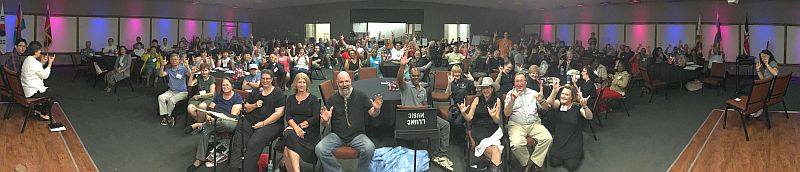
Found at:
<point>38,149</point>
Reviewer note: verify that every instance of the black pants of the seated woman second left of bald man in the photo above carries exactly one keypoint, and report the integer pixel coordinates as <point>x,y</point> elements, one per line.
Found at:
<point>256,140</point>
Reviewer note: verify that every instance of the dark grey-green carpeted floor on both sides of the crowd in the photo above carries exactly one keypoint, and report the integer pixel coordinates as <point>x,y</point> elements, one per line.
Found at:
<point>121,131</point>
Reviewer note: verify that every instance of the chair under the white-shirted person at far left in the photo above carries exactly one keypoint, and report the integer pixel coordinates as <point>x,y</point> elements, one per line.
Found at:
<point>15,84</point>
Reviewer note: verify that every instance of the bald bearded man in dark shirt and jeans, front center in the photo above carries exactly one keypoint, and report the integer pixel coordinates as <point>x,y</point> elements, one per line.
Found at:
<point>346,114</point>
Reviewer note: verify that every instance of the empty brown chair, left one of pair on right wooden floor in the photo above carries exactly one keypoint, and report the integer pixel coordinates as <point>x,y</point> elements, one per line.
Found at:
<point>749,104</point>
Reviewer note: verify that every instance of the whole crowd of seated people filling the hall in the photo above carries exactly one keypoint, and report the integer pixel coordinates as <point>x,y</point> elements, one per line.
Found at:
<point>509,78</point>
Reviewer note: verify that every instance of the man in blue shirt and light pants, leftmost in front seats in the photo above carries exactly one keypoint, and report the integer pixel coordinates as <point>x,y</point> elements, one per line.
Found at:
<point>177,74</point>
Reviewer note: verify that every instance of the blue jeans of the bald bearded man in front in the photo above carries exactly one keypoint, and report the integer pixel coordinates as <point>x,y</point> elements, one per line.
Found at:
<point>329,143</point>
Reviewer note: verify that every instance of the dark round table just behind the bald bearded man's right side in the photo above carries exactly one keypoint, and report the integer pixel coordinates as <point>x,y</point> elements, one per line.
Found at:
<point>391,99</point>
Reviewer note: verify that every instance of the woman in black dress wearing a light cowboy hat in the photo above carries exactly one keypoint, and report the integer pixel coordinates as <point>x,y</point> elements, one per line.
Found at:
<point>484,115</point>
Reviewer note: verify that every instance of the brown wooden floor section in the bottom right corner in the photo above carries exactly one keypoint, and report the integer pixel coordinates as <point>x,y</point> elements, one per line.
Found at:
<point>713,148</point>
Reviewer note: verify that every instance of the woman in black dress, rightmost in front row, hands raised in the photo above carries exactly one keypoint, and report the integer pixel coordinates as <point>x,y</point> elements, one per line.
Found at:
<point>567,147</point>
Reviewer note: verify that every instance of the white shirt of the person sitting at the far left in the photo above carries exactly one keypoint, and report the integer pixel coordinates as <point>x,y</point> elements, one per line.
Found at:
<point>33,76</point>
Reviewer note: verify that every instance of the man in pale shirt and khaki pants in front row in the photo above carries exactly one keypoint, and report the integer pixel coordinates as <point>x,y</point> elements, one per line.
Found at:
<point>521,105</point>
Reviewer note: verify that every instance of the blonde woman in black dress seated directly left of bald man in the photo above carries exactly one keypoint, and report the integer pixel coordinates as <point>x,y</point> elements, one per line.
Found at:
<point>303,131</point>
